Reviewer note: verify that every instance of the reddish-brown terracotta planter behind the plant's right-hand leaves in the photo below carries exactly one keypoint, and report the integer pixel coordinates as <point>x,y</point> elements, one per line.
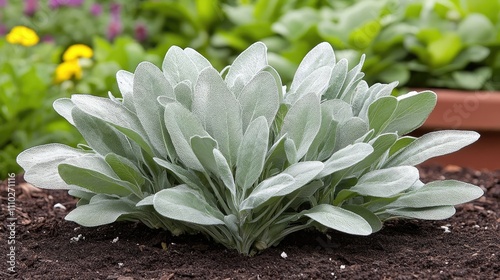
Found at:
<point>468,110</point>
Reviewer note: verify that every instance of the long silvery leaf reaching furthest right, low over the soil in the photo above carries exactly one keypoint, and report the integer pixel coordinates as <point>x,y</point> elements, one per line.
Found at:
<point>439,193</point>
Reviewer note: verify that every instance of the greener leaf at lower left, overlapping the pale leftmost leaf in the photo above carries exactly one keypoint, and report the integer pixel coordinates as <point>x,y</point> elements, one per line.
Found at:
<point>94,174</point>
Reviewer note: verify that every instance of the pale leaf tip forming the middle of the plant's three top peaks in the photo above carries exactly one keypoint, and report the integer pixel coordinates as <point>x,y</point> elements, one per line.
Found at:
<point>246,65</point>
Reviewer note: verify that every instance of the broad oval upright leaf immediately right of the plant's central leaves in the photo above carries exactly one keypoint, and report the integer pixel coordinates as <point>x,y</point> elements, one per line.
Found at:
<point>302,122</point>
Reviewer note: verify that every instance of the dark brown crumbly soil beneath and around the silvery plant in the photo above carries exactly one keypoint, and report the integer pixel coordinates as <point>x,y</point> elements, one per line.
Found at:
<point>406,249</point>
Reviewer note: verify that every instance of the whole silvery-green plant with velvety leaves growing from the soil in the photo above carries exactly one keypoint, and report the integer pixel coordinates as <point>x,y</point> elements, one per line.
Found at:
<point>237,156</point>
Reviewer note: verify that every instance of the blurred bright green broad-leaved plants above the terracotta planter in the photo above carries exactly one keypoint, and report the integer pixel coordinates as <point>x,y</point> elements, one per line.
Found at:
<point>431,43</point>
